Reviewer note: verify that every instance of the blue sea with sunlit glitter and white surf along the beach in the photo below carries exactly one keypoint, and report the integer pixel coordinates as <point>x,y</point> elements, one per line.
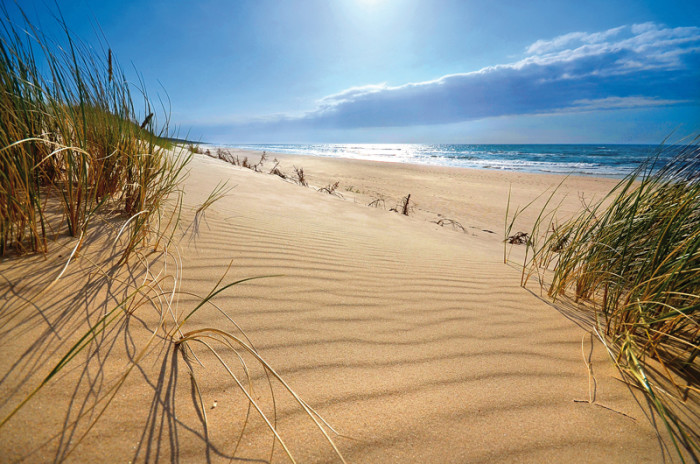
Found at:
<point>595,160</point>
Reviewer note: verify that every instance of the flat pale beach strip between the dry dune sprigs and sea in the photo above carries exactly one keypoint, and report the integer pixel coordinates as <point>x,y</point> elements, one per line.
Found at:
<point>463,194</point>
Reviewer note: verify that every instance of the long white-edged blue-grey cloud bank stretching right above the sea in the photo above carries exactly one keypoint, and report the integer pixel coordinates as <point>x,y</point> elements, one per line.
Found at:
<point>633,66</point>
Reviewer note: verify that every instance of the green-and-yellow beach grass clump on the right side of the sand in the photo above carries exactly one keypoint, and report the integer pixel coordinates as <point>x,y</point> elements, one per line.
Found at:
<point>634,258</point>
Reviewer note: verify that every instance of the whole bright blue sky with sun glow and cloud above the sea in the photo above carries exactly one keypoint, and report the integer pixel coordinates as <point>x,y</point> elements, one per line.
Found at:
<point>441,71</point>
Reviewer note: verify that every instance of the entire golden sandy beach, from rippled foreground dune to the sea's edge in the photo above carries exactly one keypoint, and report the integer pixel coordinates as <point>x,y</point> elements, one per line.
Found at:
<point>413,340</point>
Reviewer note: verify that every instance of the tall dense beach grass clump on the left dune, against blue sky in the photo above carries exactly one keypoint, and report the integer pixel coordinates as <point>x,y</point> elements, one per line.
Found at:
<point>72,141</point>
